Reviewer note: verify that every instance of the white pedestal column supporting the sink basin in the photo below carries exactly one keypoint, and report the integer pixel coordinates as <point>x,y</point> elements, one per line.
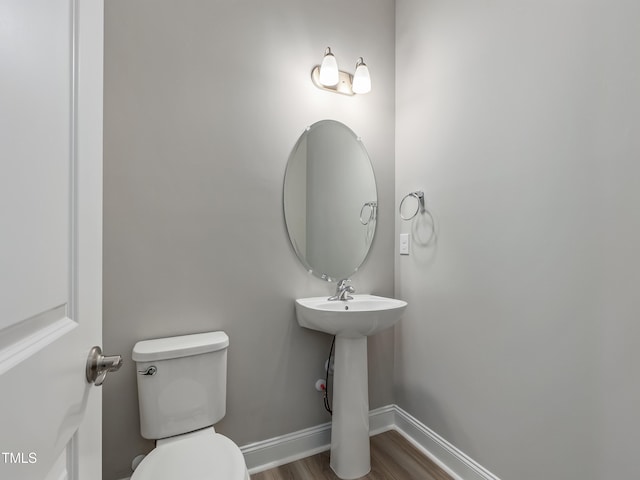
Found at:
<point>350,454</point>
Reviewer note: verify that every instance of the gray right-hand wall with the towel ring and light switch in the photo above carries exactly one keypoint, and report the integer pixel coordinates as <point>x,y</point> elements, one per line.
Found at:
<point>521,121</point>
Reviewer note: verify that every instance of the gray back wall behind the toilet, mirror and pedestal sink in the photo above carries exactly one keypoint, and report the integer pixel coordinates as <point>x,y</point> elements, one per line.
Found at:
<point>204,101</point>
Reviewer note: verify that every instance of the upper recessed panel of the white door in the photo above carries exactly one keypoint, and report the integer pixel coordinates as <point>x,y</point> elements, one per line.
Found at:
<point>36,135</point>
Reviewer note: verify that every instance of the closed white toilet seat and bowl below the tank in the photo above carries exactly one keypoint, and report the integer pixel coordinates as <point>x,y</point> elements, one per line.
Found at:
<point>201,455</point>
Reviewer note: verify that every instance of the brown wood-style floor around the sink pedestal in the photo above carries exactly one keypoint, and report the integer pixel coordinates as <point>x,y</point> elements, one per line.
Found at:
<point>392,458</point>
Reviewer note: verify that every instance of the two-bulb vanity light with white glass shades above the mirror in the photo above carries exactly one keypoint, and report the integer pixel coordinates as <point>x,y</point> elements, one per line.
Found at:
<point>327,76</point>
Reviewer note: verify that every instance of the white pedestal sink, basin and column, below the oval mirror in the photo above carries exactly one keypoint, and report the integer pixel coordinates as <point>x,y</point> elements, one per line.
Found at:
<point>352,321</point>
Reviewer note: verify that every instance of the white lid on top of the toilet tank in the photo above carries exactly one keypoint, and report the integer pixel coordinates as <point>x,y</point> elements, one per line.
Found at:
<point>182,346</point>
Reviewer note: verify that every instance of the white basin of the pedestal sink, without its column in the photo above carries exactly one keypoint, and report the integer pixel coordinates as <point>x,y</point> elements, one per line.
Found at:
<point>363,316</point>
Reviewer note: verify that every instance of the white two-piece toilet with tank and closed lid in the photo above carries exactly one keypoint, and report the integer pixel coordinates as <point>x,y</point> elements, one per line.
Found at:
<point>182,389</point>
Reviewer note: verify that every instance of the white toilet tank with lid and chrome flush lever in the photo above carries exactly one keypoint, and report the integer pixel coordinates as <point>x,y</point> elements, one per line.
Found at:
<point>182,383</point>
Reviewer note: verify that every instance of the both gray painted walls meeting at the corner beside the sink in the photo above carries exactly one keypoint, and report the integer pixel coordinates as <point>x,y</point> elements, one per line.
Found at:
<point>519,120</point>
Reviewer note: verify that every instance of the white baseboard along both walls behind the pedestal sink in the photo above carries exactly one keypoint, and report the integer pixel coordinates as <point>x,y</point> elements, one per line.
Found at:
<point>277,451</point>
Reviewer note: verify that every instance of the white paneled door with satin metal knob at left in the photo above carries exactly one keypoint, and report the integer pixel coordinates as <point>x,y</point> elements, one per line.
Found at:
<point>50,237</point>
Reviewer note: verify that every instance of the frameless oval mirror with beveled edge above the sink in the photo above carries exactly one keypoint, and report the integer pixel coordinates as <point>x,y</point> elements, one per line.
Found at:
<point>330,200</point>
